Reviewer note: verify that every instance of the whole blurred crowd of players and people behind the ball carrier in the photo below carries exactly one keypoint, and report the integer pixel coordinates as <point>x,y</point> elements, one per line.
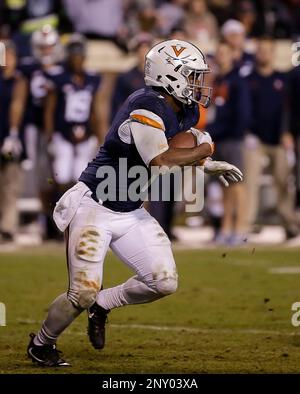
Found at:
<point>54,113</point>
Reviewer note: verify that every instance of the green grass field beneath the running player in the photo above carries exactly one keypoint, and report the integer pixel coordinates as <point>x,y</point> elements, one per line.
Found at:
<point>230,314</point>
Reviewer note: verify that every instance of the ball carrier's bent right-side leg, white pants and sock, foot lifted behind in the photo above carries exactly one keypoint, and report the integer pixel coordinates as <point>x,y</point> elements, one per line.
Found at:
<point>147,250</point>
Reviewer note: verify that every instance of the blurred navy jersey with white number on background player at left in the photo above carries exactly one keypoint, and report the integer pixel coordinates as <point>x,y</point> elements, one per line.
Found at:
<point>74,103</point>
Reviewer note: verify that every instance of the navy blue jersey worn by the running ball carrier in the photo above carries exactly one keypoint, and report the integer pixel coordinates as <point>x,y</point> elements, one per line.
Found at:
<point>114,149</point>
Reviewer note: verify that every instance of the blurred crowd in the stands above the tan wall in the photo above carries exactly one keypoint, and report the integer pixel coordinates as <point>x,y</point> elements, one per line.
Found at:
<point>120,20</point>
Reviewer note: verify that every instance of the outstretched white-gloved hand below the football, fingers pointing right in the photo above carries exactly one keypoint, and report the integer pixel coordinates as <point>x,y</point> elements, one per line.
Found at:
<point>226,171</point>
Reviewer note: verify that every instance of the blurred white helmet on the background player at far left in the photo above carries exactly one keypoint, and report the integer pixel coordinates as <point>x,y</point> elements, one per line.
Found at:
<point>46,46</point>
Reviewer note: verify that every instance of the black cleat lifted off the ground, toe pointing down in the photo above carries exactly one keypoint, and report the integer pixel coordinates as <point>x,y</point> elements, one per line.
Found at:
<point>97,318</point>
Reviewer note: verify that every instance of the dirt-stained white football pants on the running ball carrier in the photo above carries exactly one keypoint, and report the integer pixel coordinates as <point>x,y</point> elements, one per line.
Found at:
<point>136,238</point>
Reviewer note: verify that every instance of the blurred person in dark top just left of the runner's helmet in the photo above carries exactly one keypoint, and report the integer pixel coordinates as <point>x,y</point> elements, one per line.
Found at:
<point>133,79</point>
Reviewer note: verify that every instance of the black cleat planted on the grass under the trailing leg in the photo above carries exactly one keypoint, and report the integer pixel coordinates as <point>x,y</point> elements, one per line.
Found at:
<point>46,355</point>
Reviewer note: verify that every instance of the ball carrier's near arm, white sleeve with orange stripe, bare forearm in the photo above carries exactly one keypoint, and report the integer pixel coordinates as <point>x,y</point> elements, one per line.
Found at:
<point>148,132</point>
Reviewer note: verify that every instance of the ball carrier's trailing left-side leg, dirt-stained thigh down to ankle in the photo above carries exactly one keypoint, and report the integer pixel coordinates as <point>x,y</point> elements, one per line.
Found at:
<point>87,241</point>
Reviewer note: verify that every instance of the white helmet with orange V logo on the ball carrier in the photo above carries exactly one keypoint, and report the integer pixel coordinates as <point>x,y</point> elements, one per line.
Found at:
<point>179,67</point>
